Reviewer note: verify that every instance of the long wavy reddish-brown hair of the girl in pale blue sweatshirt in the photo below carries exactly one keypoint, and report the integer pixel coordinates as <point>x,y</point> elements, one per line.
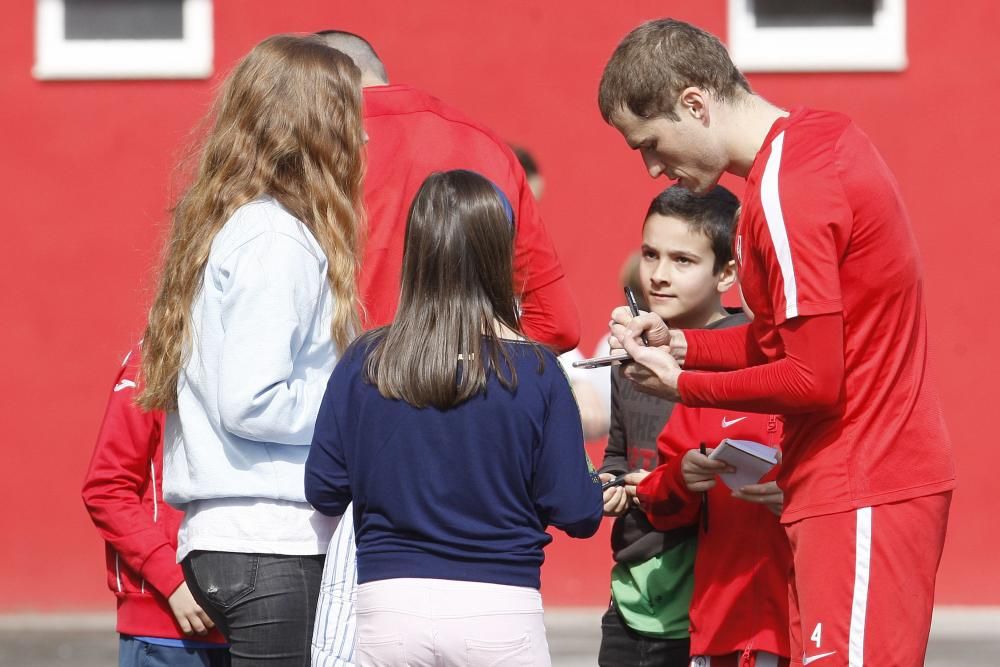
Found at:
<point>287,123</point>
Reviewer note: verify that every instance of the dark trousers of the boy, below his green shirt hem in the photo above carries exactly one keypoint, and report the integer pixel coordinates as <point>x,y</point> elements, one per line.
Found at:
<point>621,646</point>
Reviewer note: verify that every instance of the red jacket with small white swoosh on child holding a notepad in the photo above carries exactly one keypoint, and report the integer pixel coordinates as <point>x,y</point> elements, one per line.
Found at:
<point>740,599</point>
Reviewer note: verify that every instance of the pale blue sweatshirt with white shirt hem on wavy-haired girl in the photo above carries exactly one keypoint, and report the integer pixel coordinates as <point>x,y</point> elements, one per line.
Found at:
<point>248,395</point>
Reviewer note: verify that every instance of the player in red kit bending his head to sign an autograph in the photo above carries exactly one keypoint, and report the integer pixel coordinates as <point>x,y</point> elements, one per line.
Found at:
<point>828,265</point>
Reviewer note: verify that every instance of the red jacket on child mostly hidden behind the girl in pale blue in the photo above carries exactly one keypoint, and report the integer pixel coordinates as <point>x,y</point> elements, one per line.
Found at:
<point>123,494</point>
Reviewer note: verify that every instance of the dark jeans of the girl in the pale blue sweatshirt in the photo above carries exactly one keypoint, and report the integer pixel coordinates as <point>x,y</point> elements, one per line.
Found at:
<point>264,604</point>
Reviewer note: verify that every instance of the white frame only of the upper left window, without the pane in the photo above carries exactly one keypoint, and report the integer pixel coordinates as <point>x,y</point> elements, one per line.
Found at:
<point>59,58</point>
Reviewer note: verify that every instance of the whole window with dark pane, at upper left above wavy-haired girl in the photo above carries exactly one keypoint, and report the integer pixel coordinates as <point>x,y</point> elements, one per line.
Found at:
<point>123,39</point>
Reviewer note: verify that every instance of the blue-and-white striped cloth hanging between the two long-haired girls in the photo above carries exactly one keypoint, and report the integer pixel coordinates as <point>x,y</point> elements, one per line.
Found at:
<point>335,631</point>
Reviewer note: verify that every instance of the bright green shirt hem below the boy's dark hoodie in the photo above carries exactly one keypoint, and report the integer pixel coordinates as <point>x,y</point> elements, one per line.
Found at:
<point>654,596</point>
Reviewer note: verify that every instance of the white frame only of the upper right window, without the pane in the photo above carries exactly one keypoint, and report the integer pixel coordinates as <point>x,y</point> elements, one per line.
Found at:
<point>881,47</point>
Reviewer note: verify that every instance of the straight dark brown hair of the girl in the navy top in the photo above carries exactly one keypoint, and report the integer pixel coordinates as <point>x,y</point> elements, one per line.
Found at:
<point>457,287</point>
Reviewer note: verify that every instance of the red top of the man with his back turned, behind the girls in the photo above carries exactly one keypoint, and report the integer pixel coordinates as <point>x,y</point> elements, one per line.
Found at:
<point>411,135</point>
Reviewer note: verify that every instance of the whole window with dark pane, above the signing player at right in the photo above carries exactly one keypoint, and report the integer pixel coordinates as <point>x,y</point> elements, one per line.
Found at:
<point>818,35</point>
